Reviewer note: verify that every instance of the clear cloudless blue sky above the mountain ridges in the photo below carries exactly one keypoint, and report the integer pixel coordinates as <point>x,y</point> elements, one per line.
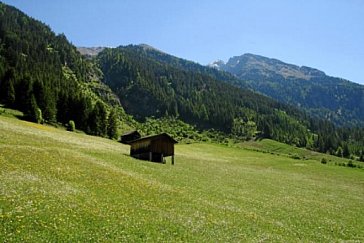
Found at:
<point>324,34</point>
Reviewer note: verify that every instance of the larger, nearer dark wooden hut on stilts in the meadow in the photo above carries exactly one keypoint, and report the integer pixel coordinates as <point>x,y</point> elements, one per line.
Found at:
<point>153,148</point>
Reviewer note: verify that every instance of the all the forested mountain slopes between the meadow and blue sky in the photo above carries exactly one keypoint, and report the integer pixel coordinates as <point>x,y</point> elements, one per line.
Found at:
<point>47,78</point>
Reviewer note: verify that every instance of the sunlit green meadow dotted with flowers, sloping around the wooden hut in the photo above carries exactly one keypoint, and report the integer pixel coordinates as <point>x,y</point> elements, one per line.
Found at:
<point>62,186</point>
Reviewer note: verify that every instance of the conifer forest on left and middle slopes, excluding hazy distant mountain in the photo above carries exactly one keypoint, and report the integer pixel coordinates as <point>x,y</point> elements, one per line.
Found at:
<point>45,76</point>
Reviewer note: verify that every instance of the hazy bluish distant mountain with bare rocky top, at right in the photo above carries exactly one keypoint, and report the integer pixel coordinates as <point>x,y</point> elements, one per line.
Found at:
<point>334,99</point>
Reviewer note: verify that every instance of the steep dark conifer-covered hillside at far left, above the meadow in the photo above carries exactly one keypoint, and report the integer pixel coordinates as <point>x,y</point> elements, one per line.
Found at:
<point>44,76</point>
